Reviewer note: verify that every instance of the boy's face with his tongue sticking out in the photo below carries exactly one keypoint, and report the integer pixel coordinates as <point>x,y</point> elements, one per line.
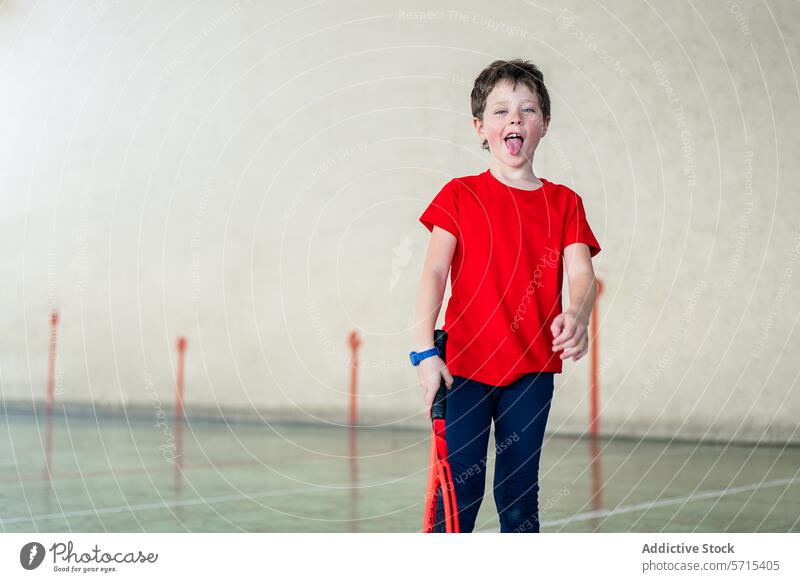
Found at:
<point>512,111</point>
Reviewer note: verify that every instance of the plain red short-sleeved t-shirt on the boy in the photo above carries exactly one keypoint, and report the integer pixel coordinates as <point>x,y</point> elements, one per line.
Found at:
<point>506,273</point>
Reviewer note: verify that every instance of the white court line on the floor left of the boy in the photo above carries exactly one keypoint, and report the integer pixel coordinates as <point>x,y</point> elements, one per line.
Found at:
<point>187,502</point>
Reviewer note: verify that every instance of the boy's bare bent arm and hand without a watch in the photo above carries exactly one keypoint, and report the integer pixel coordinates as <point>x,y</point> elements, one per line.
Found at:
<point>570,328</point>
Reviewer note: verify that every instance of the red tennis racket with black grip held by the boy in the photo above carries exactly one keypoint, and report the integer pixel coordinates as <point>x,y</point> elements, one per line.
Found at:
<point>441,510</point>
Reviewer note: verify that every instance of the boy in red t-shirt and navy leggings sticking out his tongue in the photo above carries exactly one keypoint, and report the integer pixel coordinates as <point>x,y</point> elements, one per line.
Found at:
<point>506,236</point>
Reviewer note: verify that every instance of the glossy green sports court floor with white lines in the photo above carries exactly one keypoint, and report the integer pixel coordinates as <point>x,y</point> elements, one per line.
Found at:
<point>117,474</point>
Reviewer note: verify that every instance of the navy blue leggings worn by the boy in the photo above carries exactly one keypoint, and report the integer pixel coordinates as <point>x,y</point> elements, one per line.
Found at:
<point>519,411</point>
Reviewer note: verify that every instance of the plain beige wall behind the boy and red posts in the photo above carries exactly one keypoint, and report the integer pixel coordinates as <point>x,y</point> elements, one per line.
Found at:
<point>250,175</point>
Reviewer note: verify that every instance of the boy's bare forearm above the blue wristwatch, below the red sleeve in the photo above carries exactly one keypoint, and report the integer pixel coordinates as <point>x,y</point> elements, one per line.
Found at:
<point>432,285</point>
